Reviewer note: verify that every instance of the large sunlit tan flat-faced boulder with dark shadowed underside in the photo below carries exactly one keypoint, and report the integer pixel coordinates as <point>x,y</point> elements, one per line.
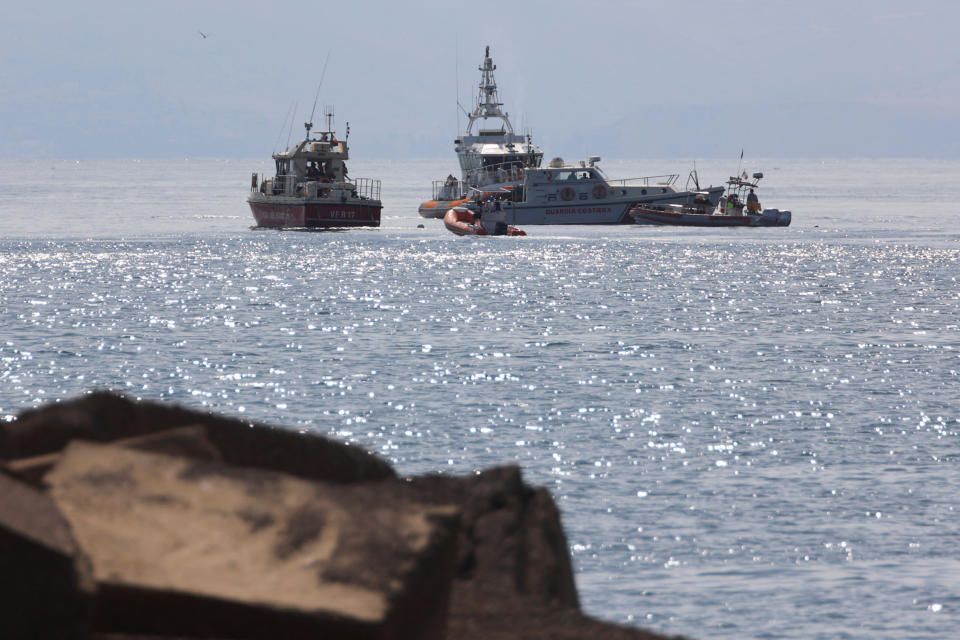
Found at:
<point>249,553</point>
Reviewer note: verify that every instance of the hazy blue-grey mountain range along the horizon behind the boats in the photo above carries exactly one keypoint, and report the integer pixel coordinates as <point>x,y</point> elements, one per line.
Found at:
<point>120,128</point>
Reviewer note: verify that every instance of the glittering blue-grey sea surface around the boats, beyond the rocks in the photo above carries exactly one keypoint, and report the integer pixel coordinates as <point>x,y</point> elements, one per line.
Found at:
<point>750,433</point>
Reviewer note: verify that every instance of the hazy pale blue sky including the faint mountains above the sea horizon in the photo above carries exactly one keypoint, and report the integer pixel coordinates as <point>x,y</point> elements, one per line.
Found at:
<point>615,78</point>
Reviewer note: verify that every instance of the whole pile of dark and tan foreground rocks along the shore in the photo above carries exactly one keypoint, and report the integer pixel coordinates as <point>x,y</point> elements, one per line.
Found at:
<point>196,526</point>
